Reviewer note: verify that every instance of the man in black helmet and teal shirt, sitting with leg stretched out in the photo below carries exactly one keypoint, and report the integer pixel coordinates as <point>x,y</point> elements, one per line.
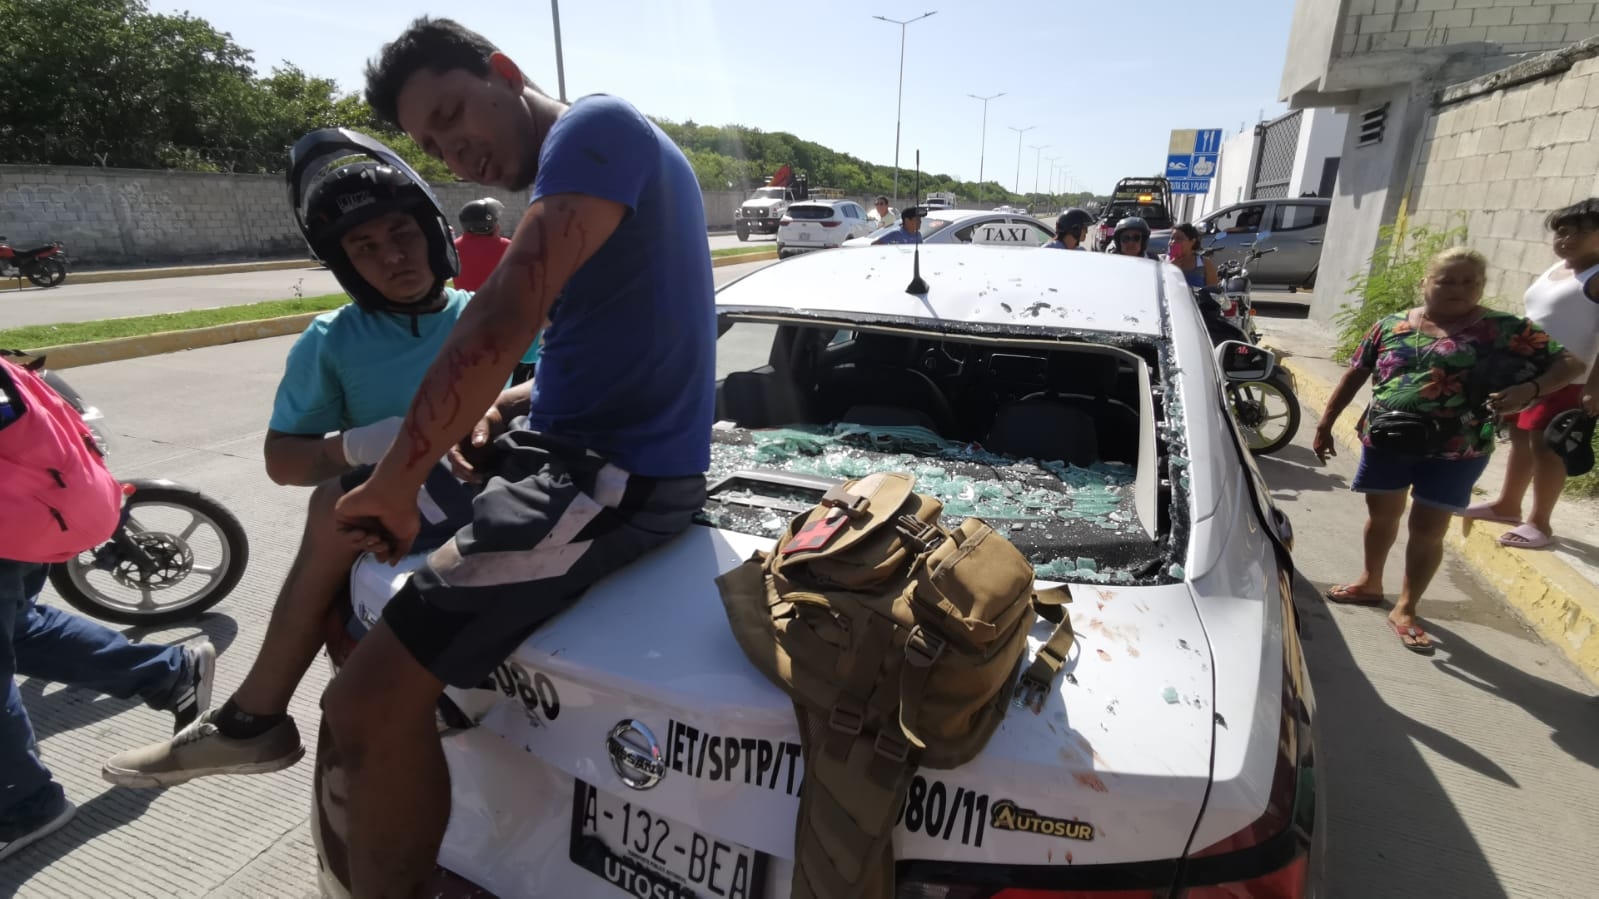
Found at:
<point>353,374</point>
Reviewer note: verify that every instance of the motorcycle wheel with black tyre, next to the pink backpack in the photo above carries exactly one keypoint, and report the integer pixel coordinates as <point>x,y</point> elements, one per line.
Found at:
<point>199,553</point>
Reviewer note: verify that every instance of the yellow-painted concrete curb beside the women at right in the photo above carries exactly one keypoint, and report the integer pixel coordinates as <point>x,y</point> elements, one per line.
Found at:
<point>1560,604</point>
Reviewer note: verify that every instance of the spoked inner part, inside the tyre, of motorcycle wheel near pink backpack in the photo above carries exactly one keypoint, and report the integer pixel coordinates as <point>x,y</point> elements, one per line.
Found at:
<point>191,553</point>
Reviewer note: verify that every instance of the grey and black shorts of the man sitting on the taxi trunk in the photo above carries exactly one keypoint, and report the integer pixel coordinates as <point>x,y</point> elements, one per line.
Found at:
<point>522,548</point>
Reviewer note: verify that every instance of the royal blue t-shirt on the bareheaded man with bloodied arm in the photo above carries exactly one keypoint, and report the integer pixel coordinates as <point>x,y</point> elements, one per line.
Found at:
<point>629,361</point>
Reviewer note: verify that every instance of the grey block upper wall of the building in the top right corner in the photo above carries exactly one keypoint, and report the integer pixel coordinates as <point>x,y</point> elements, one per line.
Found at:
<point>1515,26</point>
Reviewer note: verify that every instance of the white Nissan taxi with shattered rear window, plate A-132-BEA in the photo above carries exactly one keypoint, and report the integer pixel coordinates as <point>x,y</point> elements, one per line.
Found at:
<point>1069,399</point>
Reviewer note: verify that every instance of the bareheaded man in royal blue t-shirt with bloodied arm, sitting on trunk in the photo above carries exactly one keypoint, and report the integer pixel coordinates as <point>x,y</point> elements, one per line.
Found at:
<point>594,463</point>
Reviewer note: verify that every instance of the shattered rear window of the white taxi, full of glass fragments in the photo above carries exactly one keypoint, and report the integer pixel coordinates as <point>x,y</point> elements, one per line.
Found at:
<point>1058,444</point>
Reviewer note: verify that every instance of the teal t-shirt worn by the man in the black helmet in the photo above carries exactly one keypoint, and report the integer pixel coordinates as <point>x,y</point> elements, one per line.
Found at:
<point>353,369</point>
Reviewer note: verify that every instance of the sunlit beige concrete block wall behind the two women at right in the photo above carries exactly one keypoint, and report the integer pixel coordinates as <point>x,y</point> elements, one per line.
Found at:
<point>1501,161</point>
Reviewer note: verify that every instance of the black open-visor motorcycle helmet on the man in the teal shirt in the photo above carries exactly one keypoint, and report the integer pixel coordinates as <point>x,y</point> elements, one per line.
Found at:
<point>333,193</point>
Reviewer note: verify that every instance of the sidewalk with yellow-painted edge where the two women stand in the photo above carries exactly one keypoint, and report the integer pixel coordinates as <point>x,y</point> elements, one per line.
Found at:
<point>1553,589</point>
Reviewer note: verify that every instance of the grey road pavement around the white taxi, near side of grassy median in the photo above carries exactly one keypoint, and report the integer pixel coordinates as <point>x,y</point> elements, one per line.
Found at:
<point>1470,773</point>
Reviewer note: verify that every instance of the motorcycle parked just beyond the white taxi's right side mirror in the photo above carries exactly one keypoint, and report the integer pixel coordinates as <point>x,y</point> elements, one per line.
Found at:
<point>1267,410</point>
